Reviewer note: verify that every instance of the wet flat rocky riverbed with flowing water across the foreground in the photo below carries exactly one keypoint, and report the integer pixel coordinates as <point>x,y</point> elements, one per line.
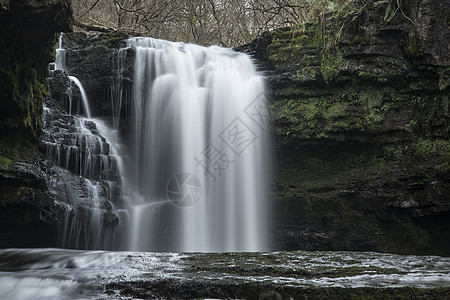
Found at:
<point>274,275</point>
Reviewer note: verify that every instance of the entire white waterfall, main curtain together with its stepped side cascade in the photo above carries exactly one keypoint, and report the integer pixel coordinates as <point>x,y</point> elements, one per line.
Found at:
<point>193,173</point>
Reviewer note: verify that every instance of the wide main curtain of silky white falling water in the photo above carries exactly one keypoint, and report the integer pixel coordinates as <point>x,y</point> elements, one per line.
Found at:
<point>199,139</point>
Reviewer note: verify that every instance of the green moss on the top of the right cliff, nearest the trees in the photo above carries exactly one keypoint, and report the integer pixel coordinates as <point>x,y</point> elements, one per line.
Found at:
<point>292,46</point>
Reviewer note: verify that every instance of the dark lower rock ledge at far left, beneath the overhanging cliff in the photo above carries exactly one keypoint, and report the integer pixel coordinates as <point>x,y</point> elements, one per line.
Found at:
<point>28,215</point>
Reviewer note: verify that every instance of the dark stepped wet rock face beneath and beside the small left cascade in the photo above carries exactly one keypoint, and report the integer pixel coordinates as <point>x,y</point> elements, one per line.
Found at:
<point>83,171</point>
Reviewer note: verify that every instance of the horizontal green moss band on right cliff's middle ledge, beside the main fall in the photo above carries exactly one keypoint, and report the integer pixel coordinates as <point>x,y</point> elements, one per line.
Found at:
<point>305,115</point>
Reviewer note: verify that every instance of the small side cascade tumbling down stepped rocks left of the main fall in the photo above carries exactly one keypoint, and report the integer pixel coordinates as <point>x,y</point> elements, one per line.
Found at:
<point>84,160</point>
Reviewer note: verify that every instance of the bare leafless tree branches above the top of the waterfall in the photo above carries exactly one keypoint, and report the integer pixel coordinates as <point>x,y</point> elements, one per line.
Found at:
<point>224,22</point>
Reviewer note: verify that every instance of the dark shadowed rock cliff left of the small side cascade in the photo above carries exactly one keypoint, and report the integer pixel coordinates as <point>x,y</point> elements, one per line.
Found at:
<point>27,37</point>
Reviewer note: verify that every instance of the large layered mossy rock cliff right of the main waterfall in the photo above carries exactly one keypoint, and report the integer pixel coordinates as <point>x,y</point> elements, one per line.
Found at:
<point>362,118</point>
